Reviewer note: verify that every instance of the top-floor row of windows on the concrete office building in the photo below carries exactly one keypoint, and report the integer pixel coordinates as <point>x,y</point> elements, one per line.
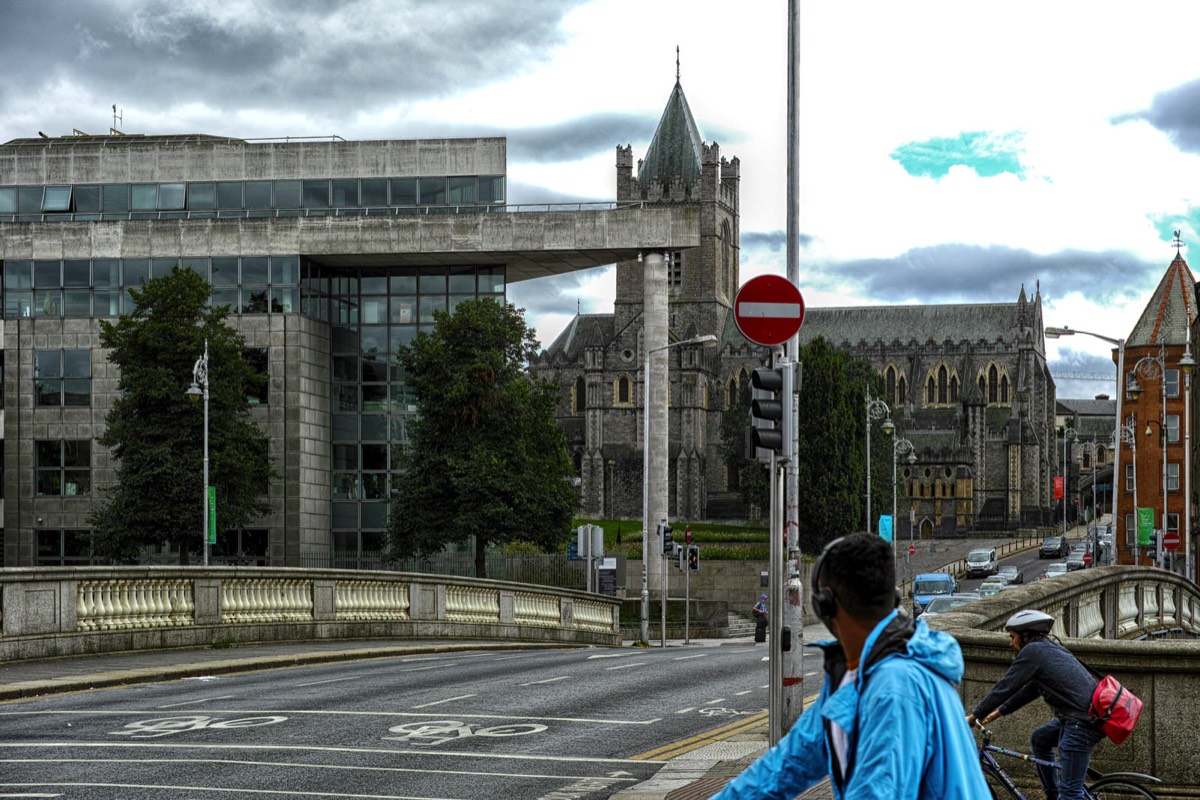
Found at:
<point>249,199</point>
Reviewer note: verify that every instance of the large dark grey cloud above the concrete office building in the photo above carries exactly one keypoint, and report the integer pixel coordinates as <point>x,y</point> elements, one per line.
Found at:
<point>332,61</point>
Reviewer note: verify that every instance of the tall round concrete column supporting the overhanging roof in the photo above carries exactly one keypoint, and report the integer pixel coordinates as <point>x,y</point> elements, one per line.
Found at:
<point>655,335</point>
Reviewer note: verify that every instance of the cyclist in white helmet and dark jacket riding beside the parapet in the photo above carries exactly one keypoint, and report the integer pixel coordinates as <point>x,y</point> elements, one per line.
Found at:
<point>1045,667</point>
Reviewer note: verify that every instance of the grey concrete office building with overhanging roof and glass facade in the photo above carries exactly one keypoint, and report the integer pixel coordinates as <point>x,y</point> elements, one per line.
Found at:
<point>332,254</point>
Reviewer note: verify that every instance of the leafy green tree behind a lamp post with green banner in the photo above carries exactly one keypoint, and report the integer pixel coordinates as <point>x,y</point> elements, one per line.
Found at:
<point>157,434</point>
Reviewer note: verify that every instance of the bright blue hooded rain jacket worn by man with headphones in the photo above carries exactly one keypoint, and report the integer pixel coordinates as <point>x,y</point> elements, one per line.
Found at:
<point>909,738</point>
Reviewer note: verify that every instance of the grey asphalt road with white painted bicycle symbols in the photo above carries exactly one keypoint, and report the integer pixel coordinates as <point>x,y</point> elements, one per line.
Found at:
<point>527,725</point>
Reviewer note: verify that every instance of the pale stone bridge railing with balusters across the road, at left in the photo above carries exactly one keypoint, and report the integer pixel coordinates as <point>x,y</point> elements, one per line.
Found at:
<point>69,611</point>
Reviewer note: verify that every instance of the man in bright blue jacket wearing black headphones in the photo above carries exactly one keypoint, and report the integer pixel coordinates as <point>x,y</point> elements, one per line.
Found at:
<point>889,724</point>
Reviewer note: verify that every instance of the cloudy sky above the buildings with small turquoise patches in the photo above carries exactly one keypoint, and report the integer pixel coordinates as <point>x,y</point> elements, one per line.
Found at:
<point>950,152</point>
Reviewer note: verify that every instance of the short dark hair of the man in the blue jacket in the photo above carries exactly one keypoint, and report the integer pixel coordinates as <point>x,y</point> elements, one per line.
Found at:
<point>861,572</point>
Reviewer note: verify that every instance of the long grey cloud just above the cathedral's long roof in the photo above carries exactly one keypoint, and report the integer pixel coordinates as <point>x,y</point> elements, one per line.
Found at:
<point>970,274</point>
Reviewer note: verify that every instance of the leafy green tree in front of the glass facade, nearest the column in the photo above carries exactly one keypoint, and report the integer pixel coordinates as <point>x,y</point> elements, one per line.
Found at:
<point>485,458</point>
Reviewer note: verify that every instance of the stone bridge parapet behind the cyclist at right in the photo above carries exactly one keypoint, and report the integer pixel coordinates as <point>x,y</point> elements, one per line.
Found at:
<point>1137,624</point>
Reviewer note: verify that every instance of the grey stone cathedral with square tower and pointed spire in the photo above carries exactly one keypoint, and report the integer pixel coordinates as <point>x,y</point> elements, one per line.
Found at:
<point>968,384</point>
